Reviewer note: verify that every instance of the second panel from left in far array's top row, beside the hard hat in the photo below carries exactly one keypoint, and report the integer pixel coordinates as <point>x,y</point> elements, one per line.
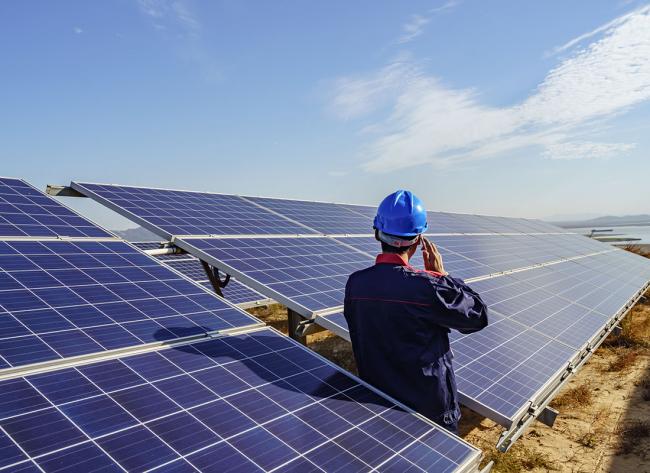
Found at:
<point>326,218</point>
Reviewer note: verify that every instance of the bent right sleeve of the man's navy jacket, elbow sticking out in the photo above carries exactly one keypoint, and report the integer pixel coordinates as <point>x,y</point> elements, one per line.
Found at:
<point>457,306</point>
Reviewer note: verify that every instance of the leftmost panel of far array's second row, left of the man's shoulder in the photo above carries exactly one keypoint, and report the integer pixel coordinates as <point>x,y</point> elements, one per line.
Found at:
<point>306,274</point>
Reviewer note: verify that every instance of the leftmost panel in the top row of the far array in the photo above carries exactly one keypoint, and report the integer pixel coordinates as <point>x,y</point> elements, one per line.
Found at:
<point>171,212</point>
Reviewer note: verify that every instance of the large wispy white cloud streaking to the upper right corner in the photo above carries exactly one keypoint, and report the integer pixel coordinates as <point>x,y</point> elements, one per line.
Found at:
<point>429,122</point>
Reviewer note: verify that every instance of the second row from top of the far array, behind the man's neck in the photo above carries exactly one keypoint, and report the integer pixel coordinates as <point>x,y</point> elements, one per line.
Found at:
<point>311,272</point>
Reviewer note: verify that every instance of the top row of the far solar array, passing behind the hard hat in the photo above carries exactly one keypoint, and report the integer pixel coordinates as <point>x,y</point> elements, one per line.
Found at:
<point>173,212</point>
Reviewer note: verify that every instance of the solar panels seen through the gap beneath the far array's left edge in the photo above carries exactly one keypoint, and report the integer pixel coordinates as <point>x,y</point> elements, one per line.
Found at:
<point>191,267</point>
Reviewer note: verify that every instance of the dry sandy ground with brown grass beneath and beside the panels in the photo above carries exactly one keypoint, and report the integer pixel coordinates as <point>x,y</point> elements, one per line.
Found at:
<point>604,421</point>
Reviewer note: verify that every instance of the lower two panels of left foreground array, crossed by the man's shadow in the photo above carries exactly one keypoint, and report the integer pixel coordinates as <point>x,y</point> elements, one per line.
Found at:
<point>254,401</point>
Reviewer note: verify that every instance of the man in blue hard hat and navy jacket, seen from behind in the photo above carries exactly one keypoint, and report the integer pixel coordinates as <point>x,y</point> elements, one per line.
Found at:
<point>400,317</point>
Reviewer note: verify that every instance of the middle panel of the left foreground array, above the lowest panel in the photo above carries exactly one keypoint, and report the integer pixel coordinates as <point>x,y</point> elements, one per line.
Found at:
<point>63,298</point>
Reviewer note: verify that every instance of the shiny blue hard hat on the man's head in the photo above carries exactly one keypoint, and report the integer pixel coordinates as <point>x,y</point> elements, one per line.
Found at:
<point>401,214</point>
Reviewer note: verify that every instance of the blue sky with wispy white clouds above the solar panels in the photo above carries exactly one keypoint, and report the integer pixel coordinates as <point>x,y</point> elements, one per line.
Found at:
<point>512,108</point>
